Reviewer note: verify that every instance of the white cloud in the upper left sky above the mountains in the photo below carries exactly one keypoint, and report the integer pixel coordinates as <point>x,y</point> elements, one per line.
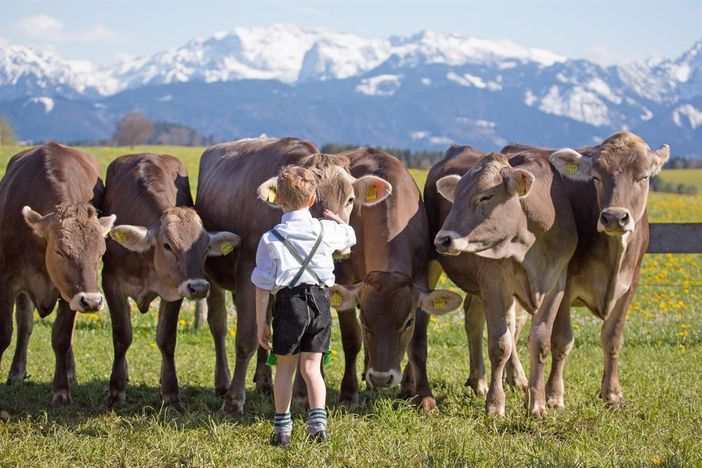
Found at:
<point>48,28</point>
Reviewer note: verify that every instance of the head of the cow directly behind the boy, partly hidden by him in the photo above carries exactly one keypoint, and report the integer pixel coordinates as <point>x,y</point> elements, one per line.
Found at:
<point>337,190</point>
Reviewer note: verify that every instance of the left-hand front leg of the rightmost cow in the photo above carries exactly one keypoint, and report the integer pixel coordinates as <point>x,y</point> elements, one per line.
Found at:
<point>561,345</point>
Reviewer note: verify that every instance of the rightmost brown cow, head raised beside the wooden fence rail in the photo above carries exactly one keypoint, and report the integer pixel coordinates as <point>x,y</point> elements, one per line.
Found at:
<point>608,188</point>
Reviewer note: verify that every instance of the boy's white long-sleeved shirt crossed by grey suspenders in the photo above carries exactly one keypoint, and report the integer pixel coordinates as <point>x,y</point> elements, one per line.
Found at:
<point>275,265</point>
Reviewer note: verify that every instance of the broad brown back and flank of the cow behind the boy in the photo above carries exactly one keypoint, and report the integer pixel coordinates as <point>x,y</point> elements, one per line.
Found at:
<point>227,199</point>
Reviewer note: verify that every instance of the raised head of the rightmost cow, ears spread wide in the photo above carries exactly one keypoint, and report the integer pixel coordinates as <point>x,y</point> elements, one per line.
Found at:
<point>620,169</point>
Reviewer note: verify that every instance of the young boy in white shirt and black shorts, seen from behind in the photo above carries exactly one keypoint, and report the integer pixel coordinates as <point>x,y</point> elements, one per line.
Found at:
<point>294,263</point>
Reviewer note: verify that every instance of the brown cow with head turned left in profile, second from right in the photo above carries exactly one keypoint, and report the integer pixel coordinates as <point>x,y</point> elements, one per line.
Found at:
<point>520,231</point>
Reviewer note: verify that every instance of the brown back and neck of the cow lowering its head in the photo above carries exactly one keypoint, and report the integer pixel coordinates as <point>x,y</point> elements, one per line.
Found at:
<point>392,235</point>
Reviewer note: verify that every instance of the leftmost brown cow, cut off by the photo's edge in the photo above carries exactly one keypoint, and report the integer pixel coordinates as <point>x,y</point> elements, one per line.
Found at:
<point>52,256</point>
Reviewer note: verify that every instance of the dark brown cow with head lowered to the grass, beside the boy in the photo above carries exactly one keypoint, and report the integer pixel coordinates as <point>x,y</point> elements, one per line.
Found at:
<point>386,278</point>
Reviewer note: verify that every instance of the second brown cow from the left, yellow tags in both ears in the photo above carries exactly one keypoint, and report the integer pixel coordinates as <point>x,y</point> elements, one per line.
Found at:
<point>158,249</point>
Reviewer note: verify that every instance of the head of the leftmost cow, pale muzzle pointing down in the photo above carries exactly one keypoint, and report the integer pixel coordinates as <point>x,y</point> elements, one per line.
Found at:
<point>75,242</point>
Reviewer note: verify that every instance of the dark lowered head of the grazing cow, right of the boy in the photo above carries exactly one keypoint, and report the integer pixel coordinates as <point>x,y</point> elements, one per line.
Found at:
<point>388,301</point>
